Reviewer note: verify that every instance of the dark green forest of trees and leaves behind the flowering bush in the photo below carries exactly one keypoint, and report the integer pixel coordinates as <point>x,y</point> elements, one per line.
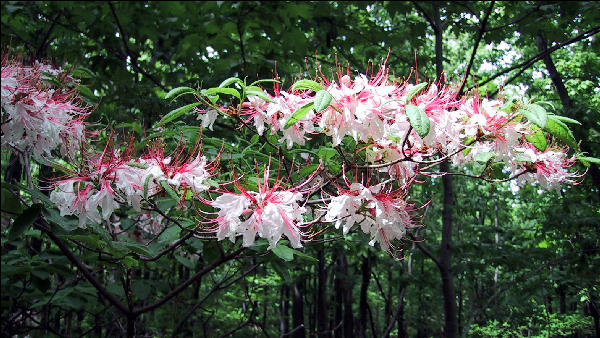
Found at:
<point>511,262</point>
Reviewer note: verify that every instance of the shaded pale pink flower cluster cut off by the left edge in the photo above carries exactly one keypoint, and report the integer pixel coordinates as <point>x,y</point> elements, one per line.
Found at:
<point>39,115</point>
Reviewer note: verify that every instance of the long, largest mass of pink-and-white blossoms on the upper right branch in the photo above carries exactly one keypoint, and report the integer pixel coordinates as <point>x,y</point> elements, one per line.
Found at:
<point>375,111</point>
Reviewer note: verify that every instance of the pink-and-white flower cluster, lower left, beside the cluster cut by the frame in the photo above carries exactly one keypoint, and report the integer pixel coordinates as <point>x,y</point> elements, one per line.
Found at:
<point>111,178</point>
